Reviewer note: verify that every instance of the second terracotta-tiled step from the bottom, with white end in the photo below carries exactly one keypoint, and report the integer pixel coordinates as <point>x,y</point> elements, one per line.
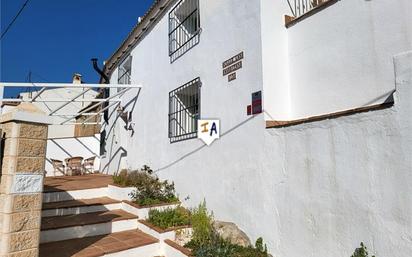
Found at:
<point>60,228</point>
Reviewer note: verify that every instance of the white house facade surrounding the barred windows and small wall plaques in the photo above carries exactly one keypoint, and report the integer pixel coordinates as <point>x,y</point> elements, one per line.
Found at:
<point>222,37</point>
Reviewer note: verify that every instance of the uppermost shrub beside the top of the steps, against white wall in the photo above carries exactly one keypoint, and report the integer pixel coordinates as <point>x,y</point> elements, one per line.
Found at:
<point>149,189</point>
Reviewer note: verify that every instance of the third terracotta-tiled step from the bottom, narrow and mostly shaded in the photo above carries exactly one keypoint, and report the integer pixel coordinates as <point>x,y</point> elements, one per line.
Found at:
<point>79,206</point>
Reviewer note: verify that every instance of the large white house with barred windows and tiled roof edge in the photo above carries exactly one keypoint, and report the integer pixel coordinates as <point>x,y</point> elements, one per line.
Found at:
<point>314,189</point>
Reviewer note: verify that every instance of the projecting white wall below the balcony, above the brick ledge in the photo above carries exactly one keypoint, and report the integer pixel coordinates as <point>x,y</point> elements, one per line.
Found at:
<point>341,57</point>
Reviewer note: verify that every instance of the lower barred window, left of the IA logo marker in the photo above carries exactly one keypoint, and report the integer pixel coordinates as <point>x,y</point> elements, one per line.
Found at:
<point>184,111</point>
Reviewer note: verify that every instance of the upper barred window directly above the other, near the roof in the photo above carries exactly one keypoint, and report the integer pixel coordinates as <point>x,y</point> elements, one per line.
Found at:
<point>184,28</point>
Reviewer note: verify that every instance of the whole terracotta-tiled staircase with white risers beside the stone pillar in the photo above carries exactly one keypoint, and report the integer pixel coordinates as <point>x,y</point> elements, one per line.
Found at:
<point>79,219</point>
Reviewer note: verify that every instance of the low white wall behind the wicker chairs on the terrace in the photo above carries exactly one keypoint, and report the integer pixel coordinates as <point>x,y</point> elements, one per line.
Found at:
<point>62,148</point>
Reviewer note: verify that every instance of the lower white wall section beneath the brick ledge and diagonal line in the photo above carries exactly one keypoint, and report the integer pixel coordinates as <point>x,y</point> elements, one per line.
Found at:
<point>317,189</point>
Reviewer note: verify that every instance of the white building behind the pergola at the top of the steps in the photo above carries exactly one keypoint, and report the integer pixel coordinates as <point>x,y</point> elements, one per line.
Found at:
<point>71,139</point>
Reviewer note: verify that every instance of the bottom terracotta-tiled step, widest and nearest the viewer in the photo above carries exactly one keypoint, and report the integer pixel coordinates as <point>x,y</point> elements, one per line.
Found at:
<point>128,243</point>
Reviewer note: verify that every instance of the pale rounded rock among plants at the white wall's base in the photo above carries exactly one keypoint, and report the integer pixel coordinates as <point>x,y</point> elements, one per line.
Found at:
<point>229,231</point>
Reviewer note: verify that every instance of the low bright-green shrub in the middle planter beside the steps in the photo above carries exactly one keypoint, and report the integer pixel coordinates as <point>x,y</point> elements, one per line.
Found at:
<point>169,217</point>
